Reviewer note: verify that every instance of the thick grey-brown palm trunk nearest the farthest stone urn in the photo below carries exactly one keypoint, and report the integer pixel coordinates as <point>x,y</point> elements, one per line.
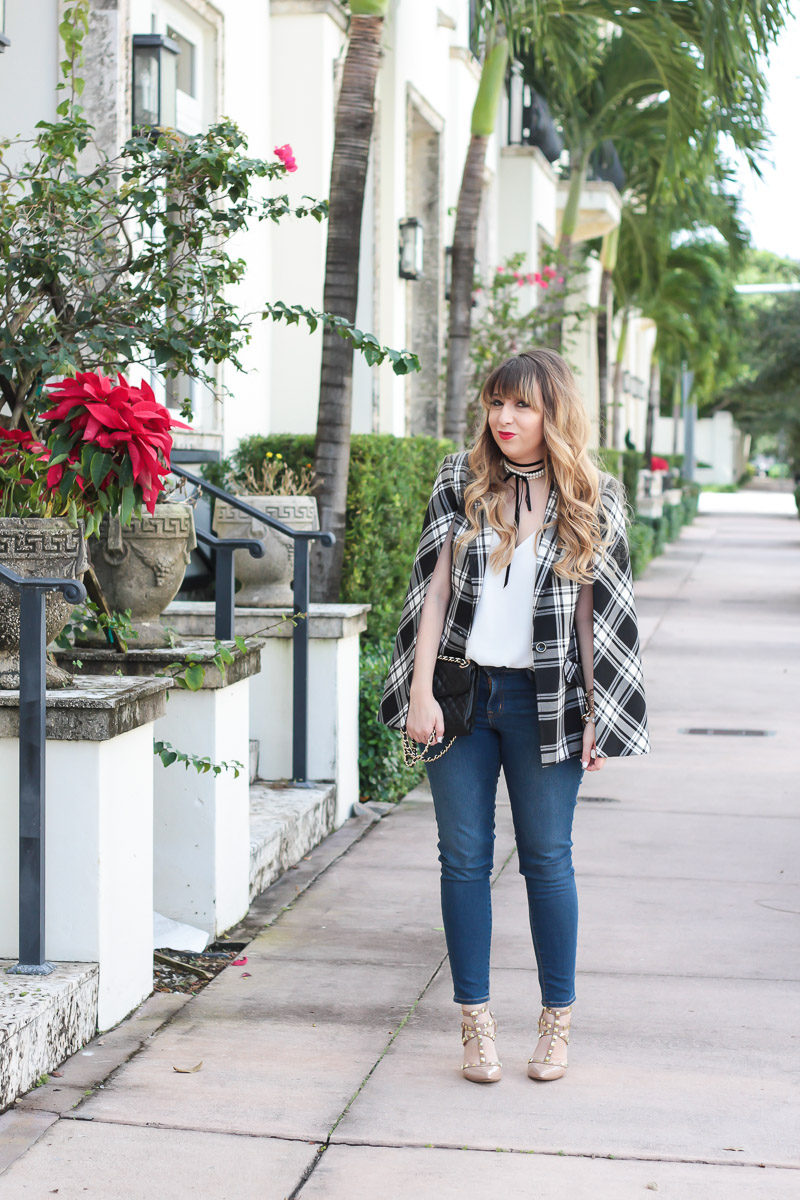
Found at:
<point>352,139</point>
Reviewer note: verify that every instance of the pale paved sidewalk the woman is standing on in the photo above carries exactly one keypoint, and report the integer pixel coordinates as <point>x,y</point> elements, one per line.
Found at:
<point>329,1063</point>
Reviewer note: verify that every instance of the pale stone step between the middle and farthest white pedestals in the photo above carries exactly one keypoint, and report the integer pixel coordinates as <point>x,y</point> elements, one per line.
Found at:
<point>286,823</point>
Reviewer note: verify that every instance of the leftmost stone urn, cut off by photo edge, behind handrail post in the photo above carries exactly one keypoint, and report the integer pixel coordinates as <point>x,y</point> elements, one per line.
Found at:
<point>44,547</point>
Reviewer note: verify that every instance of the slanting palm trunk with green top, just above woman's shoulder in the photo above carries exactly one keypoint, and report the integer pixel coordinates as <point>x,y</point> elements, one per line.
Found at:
<point>465,238</point>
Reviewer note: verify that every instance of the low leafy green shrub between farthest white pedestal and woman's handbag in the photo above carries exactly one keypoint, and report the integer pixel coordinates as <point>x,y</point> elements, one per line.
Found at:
<point>383,775</point>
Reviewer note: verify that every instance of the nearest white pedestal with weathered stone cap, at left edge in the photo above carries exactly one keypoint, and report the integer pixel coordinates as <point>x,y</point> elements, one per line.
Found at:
<point>99,833</point>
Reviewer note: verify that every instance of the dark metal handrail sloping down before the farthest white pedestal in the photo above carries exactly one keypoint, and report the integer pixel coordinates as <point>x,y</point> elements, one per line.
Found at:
<point>302,539</point>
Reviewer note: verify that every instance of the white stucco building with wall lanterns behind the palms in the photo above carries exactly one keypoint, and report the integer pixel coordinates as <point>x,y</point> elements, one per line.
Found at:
<point>274,69</point>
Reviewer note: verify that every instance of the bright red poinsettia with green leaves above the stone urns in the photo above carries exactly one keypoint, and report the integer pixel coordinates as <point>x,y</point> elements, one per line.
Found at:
<point>105,451</point>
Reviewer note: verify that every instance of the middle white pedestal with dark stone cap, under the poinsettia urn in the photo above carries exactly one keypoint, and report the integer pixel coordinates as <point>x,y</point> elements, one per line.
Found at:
<point>201,821</point>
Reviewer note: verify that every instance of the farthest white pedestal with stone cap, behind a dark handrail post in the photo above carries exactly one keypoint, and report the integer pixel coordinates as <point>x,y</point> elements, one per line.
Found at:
<point>333,689</point>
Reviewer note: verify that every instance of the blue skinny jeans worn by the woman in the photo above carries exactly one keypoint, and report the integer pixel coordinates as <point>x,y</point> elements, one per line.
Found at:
<point>465,785</point>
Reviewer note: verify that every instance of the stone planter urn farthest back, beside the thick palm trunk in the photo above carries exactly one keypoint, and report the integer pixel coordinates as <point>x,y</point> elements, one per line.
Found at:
<point>266,583</point>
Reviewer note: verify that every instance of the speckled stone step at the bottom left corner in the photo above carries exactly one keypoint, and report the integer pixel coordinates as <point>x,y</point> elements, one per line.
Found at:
<point>44,1019</point>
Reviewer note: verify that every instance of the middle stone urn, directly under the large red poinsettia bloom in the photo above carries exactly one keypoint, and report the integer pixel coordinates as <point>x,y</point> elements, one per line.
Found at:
<point>142,567</point>
